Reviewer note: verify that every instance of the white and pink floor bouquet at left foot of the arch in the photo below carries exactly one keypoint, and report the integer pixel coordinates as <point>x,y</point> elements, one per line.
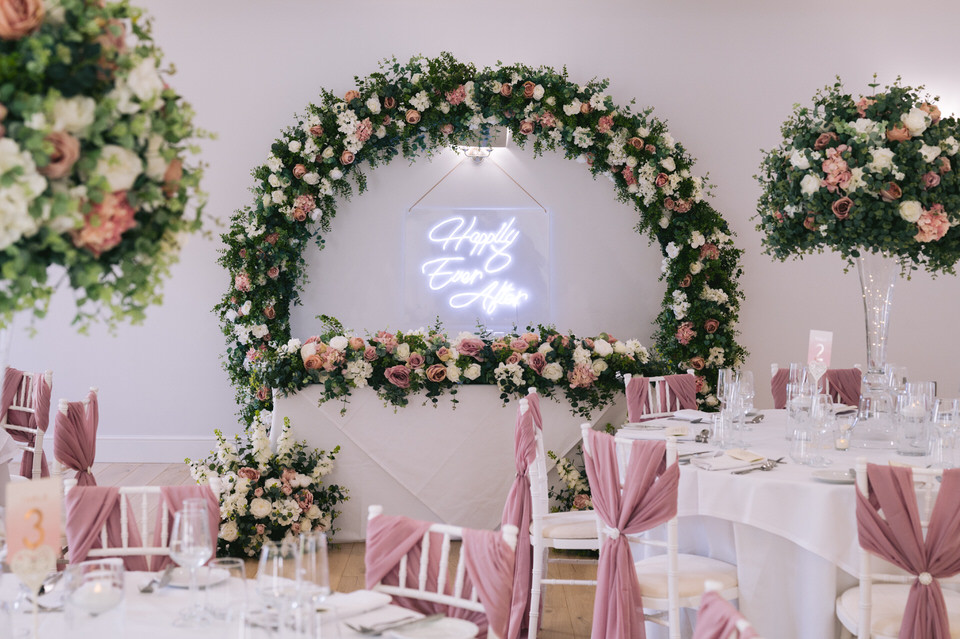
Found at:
<point>265,494</point>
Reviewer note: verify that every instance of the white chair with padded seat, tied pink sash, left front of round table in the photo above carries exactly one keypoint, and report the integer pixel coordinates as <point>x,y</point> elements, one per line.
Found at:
<point>672,580</point>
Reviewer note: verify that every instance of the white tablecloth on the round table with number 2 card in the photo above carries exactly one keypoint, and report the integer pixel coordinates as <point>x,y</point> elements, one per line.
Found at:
<point>793,538</point>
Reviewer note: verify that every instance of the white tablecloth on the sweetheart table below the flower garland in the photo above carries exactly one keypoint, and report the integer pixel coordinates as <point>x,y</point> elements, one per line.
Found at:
<point>452,464</point>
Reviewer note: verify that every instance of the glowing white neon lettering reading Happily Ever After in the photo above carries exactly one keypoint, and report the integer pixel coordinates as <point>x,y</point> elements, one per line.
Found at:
<point>473,268</point>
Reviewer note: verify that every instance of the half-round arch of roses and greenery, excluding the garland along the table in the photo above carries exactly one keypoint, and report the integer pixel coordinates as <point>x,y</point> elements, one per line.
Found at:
<point>409,109</point>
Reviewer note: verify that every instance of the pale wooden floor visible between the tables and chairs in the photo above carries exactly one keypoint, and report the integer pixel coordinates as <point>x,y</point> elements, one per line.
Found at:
<point>568,610</point>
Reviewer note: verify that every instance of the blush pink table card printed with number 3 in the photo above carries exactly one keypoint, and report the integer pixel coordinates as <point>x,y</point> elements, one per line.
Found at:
<point>33,529</point>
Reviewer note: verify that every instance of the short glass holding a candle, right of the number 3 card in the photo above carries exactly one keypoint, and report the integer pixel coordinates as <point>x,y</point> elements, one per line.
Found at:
<point>92,588</point>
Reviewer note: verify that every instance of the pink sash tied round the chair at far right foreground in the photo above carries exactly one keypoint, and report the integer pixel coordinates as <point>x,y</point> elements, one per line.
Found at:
<point>898,538</point>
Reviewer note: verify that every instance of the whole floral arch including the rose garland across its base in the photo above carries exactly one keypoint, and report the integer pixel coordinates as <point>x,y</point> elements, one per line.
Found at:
<point>410,109</point>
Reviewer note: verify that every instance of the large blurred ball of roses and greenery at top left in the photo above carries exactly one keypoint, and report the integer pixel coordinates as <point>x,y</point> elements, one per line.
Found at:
<point>93,145</point>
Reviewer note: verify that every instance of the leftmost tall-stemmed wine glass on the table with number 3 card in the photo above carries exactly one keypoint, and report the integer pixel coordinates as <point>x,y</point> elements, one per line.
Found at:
<point>191,547</point>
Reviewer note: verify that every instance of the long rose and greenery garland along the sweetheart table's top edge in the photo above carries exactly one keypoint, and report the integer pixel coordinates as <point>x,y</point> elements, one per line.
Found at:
<point>586,371</point>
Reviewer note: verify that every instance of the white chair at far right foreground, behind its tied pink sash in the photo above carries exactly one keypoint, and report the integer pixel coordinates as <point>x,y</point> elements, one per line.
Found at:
<point>884,587</point>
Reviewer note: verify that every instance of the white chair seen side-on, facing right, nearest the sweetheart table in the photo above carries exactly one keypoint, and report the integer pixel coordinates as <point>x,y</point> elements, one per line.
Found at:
<point>574,530</point>
